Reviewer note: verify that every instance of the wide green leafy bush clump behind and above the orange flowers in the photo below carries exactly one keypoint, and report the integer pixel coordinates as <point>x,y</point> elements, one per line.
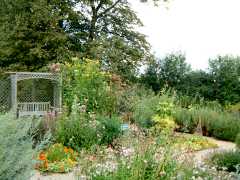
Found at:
<point>84,130</point>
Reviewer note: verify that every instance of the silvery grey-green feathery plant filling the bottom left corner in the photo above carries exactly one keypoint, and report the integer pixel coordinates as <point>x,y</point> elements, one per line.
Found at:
<point>15,148</point>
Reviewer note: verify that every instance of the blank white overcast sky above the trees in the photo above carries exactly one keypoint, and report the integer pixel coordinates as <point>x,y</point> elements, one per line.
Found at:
<point>201,29</point>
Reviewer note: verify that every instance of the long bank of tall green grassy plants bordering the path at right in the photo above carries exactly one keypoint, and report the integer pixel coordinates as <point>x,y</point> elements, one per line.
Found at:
<point>219,124</point>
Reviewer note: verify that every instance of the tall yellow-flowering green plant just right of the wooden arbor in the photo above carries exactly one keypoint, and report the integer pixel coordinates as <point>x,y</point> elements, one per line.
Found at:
<point>84,79</point>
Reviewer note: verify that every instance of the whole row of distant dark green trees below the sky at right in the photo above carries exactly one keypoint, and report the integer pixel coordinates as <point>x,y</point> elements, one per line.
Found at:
<point>220,82</point>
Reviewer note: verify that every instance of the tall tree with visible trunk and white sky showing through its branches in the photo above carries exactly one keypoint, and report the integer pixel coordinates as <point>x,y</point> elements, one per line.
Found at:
<point>106,30</point>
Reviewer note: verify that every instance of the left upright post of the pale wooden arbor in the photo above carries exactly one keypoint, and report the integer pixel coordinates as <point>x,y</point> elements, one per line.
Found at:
<point>14,93</point>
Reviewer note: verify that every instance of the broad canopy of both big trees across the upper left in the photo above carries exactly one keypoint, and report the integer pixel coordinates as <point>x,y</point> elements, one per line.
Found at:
<point>37,32</point>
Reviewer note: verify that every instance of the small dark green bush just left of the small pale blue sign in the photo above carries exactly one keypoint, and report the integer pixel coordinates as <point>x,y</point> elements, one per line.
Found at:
<point>108,129</point>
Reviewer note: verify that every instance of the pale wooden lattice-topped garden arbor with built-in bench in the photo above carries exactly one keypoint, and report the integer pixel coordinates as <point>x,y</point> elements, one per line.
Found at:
<point>25,108</point>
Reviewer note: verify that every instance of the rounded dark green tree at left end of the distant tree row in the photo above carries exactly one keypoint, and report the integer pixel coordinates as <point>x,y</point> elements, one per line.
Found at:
<point>170,71</point>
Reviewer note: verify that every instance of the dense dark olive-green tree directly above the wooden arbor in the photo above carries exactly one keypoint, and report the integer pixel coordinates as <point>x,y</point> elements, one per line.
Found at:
<point>31,33</point>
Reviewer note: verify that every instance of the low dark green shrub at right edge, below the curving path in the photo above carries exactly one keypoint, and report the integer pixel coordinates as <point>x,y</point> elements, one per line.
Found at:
<point>229,160</point>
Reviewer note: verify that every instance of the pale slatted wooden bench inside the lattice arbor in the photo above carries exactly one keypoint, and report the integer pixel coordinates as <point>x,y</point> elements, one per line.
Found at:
<point>33,108</point>
